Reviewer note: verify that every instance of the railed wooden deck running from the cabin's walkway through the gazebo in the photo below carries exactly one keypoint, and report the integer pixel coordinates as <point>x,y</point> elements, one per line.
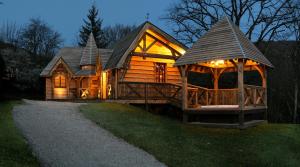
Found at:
<point>198,98</point>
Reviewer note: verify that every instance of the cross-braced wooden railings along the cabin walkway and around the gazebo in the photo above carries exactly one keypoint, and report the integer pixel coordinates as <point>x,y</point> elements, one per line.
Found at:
<point>197,96</point>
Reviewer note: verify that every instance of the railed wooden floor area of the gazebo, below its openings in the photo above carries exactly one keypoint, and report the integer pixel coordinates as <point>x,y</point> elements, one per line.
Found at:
<point>200,98</point>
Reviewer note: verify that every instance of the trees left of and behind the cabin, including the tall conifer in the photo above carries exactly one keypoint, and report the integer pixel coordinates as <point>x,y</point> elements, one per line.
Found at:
<point>26,49</point>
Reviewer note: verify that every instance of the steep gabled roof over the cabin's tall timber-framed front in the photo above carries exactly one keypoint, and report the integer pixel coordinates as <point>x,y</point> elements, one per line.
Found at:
<point>123,47</point>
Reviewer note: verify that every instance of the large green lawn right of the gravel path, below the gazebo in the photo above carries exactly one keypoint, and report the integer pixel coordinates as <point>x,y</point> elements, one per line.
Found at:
<point>178,144</point>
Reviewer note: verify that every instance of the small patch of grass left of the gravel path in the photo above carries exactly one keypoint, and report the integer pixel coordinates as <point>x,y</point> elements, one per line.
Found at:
<point>13,148</point>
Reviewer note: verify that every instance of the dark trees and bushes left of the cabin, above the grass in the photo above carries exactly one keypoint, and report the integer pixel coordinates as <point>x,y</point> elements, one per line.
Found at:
<point>25,51</point>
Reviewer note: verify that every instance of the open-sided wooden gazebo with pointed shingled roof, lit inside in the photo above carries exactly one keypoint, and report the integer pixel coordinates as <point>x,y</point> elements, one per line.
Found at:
<point>224,48</point>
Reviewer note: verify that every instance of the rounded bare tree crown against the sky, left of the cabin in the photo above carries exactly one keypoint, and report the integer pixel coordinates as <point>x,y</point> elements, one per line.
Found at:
<point>39,38</point>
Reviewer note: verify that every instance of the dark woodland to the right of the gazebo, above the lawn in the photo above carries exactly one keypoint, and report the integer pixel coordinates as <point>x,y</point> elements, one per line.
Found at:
<point>283,80</point>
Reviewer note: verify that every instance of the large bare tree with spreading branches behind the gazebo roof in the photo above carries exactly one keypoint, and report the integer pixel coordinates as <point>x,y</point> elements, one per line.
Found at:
<point>259,19</point>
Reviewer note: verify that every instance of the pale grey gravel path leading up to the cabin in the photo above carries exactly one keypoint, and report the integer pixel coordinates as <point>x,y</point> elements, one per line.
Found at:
<point>60,136</point>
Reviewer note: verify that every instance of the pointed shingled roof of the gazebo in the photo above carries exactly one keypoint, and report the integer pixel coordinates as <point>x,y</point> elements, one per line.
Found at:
<point>223,41</point>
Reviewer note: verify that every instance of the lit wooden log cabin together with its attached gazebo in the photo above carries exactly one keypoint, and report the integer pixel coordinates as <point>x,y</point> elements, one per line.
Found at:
<point>149,66</point>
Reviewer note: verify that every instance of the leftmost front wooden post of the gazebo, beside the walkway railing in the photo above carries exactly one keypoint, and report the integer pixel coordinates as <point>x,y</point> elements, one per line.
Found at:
<point>184,91</point>
